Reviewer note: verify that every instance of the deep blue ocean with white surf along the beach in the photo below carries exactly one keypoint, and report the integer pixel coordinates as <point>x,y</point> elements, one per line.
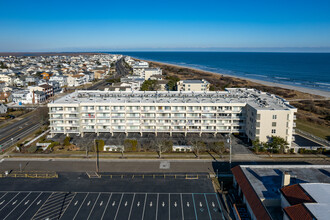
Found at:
<point>310,70</point>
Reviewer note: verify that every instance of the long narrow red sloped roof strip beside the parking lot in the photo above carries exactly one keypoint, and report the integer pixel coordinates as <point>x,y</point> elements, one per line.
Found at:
<point>251,196</point>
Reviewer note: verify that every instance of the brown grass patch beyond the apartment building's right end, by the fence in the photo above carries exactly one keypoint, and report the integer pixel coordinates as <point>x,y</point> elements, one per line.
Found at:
<point>321,131</point>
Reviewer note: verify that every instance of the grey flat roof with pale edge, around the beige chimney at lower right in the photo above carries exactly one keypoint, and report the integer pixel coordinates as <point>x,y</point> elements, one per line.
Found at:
<point>266,179</point>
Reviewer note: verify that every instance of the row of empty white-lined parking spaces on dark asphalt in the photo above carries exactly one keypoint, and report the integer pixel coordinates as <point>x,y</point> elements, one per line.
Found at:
<point>106,205</point>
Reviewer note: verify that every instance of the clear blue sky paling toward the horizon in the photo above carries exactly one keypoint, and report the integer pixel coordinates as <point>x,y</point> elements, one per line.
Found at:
<point>256,25</point>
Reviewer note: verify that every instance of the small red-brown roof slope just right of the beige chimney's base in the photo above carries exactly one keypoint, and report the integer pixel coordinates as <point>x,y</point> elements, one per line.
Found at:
<point>295,194</point>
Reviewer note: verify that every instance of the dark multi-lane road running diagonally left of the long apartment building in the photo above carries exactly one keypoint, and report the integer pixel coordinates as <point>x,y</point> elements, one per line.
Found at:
<point>18,130</point>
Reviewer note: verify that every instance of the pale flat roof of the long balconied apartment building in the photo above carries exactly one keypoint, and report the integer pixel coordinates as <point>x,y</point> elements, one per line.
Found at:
<point>255,98</point>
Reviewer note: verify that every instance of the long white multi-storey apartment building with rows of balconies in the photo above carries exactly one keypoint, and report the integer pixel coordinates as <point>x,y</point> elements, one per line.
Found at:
<point>257,114</point>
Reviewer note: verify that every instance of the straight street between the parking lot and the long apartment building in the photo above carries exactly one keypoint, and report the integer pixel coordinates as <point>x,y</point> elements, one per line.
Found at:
<point>124,166</point>
